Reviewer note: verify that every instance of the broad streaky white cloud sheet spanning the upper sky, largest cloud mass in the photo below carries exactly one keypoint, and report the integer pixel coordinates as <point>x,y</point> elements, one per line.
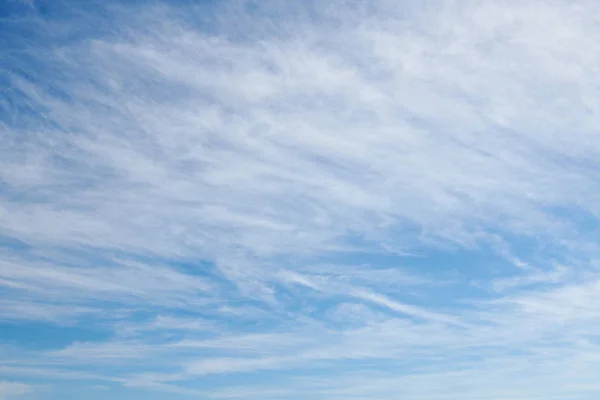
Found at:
<point>451,183</point>
